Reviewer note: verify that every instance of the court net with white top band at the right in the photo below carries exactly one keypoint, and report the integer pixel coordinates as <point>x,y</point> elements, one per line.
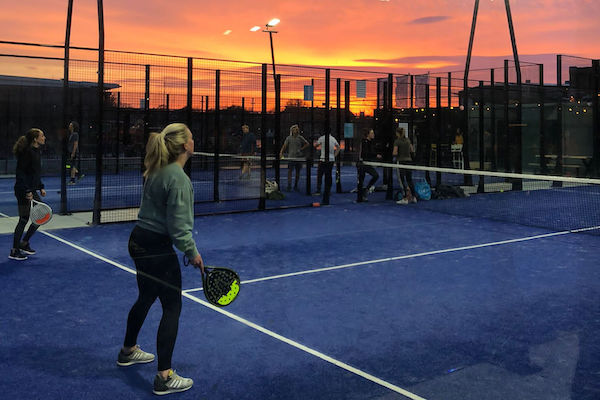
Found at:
<point>554,202</point>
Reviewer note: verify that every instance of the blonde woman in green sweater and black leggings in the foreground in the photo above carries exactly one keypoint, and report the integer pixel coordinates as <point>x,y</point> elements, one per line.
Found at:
<point>166,218</point>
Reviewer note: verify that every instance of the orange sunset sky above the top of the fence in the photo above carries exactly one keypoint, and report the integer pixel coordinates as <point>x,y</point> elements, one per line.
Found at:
<point>396,35</point>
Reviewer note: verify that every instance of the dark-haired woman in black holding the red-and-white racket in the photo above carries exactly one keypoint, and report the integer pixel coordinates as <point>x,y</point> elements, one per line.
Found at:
<point>27,184</point>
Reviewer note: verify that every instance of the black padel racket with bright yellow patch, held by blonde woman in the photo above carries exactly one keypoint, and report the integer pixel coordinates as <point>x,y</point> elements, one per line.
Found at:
<point>221,286</point>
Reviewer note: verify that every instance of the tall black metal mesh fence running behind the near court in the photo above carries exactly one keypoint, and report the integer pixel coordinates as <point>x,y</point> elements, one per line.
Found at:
<point>492,122</point>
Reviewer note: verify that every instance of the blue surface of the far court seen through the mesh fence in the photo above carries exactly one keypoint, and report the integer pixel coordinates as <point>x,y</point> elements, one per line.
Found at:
<point>124,190</point>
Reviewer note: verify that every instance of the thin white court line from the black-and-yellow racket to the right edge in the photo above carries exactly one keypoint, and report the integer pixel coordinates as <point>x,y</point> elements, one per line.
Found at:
<point>427,253</point>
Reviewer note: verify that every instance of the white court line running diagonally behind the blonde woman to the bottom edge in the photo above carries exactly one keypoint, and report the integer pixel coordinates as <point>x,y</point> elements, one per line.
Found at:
<point>259,328</point>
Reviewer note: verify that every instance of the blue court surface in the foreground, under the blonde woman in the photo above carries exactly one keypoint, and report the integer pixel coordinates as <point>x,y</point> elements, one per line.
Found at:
<point>354,301</point>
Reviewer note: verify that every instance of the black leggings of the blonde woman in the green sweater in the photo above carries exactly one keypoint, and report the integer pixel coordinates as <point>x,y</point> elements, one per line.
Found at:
<point>158,275</point>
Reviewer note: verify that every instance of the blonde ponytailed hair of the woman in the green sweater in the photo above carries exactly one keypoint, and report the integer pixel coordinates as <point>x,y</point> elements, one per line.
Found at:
<point>164,148</point>
